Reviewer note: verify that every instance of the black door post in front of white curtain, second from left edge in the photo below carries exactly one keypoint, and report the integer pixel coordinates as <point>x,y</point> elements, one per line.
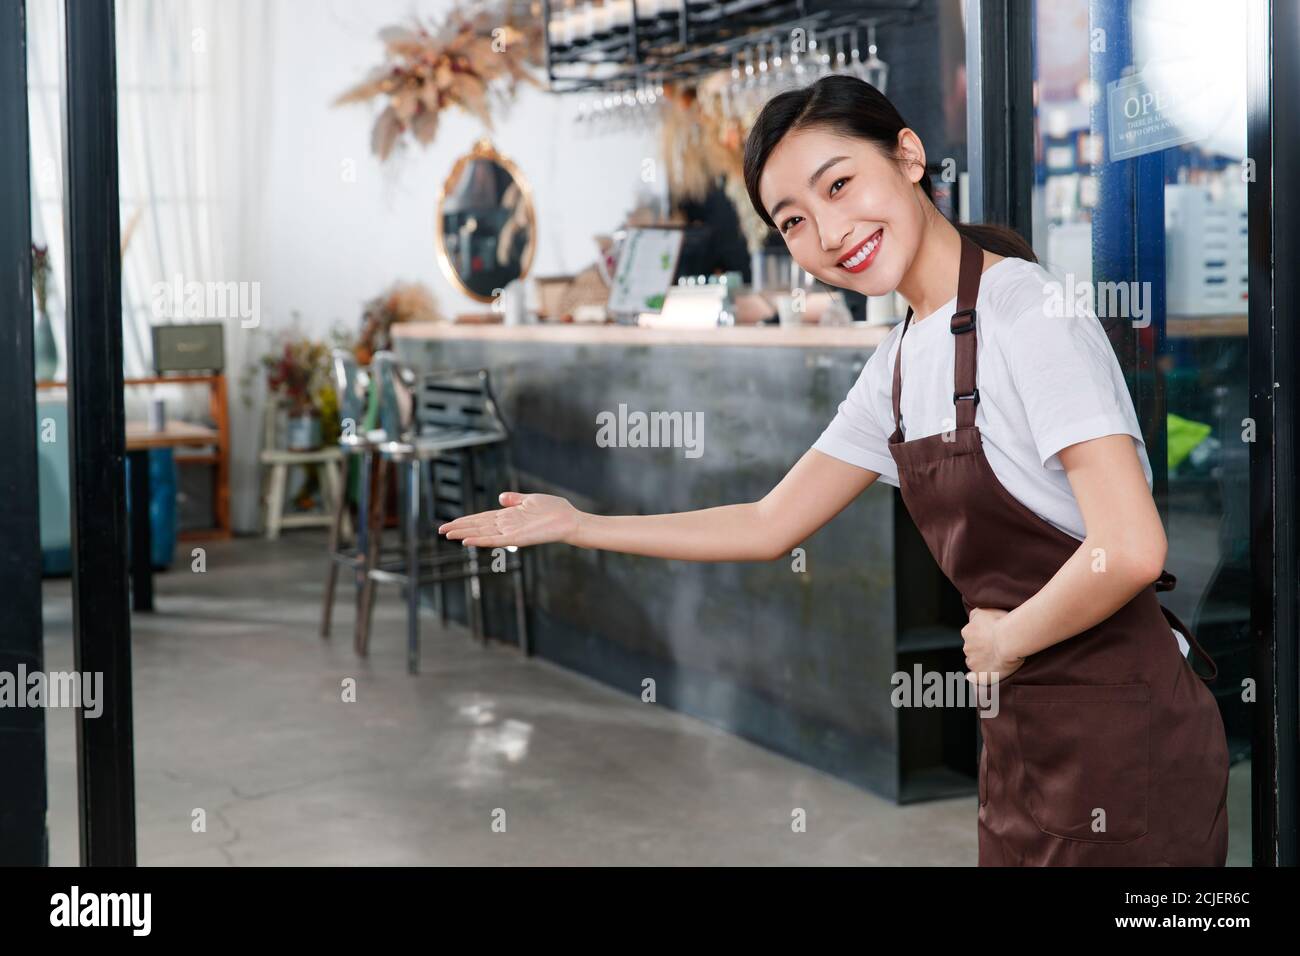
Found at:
<point>102,622</point>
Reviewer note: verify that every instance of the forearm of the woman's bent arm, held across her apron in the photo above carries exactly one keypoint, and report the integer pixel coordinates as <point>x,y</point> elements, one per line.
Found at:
<point>1078,596</point>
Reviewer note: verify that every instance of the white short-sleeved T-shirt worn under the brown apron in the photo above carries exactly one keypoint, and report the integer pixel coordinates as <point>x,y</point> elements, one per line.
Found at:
<point>1046,382</point>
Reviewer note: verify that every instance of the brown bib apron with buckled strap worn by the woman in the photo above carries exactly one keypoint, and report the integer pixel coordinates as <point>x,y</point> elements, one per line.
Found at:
<point>1107,749</point>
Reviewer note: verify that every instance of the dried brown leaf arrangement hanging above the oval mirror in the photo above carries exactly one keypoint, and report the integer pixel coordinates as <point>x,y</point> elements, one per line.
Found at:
<point>482,51</point>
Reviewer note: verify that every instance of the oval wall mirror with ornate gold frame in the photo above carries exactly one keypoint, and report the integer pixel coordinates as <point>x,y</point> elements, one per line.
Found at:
<point>486,224</point>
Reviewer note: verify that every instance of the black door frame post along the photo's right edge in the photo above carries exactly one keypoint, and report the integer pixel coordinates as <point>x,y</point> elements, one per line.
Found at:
<point>1273,207</point>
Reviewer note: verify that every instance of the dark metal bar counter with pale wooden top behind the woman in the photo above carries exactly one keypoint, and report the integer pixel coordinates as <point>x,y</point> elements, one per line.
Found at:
<point>799,655</point>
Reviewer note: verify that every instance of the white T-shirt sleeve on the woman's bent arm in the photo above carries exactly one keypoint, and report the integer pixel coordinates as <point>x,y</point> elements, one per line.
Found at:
<point>1069,380</point>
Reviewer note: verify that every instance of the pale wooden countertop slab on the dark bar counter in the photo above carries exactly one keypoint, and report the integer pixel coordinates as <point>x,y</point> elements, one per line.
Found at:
<point>857,336</point>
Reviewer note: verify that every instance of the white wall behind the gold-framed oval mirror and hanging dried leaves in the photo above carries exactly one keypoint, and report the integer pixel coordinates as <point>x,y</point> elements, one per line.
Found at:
<point>335,244</point>
